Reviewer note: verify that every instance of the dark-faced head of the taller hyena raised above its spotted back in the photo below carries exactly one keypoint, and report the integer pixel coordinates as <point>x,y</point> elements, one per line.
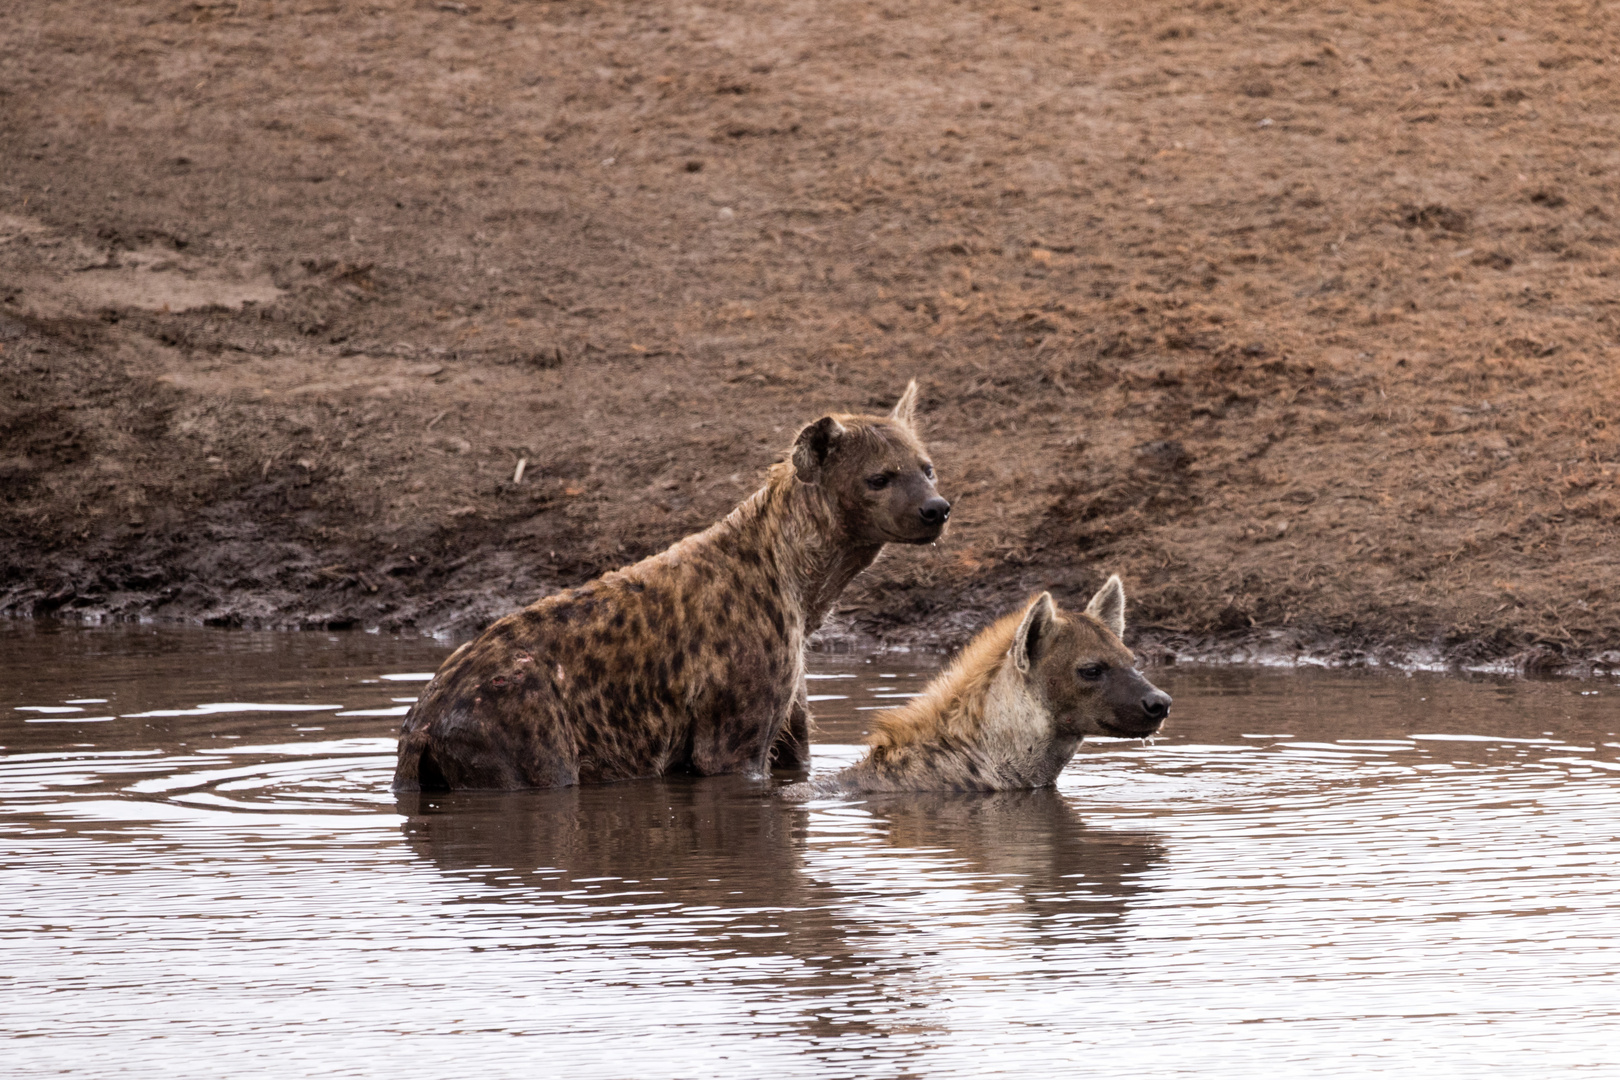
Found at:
<point>876,474</point>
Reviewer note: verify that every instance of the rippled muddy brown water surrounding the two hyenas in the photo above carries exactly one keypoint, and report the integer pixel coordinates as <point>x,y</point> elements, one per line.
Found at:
<point>203,874</point>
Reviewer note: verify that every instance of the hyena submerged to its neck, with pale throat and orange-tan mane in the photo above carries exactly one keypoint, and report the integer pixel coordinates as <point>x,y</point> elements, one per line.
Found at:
<point>1013,707</point>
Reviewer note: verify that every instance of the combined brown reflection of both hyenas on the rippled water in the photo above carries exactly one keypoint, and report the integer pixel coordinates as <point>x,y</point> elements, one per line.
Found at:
<point>837,921</point>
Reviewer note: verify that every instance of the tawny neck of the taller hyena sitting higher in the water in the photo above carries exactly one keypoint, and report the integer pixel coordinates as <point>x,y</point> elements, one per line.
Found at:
<point>796,535</point>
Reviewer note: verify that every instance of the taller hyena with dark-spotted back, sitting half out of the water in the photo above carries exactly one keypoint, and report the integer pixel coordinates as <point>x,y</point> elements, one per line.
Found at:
<point>691,660</point>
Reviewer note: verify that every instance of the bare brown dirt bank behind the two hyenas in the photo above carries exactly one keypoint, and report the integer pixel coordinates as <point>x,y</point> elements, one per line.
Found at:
<point>1302,318</point>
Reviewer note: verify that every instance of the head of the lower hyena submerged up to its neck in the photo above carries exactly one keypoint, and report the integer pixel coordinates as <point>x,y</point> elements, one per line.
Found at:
<point>1083,673</point>
